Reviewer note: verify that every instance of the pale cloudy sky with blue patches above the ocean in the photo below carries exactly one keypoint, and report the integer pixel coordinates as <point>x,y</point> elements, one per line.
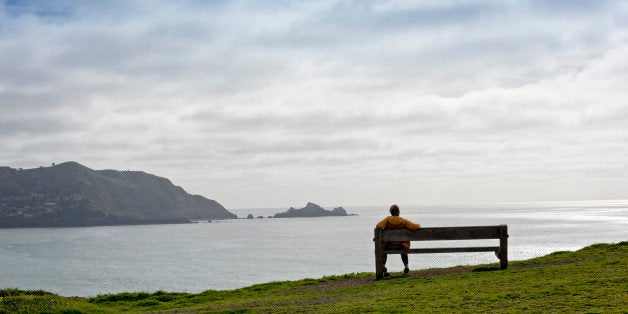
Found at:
<point>261,104</point>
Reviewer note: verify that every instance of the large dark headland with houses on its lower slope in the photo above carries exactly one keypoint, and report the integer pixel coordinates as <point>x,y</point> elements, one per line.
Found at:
<point>70,194</point>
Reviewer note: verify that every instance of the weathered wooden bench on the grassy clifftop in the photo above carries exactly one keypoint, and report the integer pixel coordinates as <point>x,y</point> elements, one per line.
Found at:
<point>442,233</point>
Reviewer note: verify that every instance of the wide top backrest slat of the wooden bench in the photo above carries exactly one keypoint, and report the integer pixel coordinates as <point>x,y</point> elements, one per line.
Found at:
<point>442,233</point>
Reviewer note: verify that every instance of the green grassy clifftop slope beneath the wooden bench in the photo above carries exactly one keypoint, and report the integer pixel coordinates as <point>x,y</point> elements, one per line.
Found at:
<point>593,279</point>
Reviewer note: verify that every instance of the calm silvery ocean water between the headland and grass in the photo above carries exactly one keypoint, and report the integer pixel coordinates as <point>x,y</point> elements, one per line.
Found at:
<point>231,254</point>
